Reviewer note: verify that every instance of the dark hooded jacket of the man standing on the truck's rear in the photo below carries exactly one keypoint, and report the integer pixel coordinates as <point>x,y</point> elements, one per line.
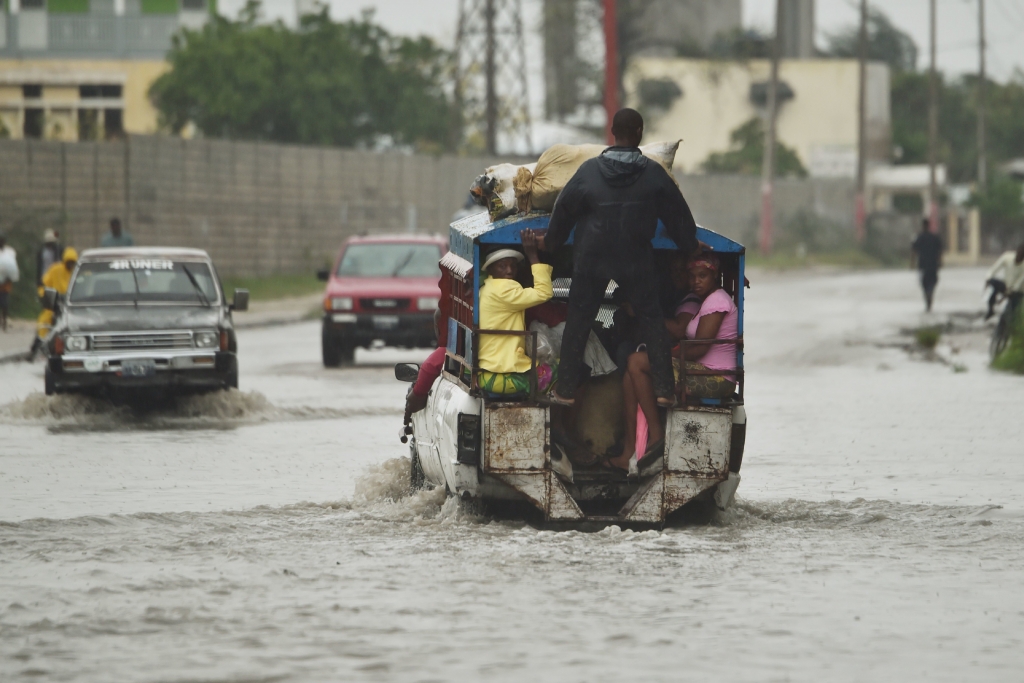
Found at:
<point>615,203</point>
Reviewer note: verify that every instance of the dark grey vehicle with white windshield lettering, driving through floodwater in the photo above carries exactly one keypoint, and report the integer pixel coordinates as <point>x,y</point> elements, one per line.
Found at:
<point>143,319</point>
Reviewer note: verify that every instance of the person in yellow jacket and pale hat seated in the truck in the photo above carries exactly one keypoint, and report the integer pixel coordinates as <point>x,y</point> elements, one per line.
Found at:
<point>503,359</point>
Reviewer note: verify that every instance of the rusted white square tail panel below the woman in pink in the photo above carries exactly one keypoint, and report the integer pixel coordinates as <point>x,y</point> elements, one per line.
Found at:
<point>699,443</point>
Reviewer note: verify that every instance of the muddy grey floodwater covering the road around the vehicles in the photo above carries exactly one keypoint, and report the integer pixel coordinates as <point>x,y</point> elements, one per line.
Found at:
<point>268,535</point>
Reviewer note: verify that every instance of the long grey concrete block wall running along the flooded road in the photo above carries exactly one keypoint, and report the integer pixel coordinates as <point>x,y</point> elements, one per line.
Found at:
<point>270,208</point>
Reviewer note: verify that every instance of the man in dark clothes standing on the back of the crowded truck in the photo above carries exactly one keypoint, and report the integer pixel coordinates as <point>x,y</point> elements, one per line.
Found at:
<point>615,203</point>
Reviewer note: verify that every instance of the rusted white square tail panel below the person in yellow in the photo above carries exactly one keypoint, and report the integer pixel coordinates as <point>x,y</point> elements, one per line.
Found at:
<point>515,439</point>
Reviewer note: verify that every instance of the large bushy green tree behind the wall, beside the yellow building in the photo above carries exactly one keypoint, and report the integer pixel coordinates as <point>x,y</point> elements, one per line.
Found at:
<point>348,83</point>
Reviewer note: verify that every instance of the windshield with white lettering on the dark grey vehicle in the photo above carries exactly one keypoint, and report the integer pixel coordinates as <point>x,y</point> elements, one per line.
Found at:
<point>144,280</point>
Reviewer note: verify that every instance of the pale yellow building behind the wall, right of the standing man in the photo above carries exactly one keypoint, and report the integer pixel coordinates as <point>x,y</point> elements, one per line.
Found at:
<point>704,101</point>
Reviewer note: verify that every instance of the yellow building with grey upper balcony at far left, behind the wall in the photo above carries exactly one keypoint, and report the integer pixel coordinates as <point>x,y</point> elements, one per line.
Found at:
<point>80,70</point>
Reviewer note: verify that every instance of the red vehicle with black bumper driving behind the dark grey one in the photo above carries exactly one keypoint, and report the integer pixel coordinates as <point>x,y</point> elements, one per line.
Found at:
<point>381,288</point>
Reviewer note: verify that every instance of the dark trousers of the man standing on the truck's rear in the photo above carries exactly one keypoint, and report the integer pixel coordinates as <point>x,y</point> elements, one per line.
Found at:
<point>586,296</point>
